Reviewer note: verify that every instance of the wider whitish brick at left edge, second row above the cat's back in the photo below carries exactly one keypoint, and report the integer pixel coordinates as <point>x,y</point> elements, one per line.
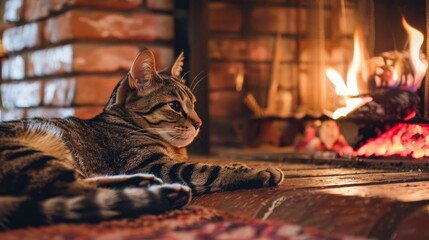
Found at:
<point>21,94</point>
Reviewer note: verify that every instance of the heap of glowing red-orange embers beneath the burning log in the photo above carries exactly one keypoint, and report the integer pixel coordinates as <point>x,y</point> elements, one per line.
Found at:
<point>401,140</point>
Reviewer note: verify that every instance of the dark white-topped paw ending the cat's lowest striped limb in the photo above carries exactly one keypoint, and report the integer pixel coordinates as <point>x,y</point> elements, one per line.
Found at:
<point>173,195</point>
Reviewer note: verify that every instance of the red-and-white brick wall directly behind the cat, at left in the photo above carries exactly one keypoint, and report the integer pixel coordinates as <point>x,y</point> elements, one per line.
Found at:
<point>64,57</point>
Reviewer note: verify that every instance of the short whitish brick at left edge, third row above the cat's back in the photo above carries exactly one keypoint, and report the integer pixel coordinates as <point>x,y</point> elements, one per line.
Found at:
<point>13,67</point>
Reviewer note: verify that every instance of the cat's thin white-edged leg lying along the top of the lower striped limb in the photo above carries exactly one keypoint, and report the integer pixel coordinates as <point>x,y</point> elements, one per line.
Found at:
<point>124,180</point>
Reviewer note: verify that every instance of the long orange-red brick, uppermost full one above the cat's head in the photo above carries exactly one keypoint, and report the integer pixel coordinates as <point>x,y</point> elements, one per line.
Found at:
<point>96,25</point>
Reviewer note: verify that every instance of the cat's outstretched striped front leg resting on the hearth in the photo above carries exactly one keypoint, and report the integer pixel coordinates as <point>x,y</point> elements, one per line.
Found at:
<point>204,178</point>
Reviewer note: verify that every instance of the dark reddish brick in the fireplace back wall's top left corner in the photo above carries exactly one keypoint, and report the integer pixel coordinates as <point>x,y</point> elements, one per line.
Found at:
<point>224,17</point>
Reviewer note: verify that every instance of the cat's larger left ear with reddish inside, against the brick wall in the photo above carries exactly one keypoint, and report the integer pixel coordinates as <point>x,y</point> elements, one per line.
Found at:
<point>143,75</point>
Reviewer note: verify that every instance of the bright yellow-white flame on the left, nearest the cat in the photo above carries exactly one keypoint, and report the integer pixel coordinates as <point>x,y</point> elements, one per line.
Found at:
<point>350,90</point>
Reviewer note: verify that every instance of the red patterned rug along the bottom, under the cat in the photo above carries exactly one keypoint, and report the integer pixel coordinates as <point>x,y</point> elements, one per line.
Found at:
<point>189,223</point>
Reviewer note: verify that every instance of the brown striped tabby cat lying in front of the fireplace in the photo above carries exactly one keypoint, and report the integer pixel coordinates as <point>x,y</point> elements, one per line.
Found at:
<point>128,160</point>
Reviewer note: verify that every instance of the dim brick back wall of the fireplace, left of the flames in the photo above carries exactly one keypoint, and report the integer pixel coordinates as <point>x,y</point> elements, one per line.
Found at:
<point>241,48</point>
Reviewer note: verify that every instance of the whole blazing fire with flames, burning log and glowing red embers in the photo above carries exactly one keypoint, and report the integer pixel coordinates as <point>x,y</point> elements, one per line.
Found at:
<point>391,73</point>
